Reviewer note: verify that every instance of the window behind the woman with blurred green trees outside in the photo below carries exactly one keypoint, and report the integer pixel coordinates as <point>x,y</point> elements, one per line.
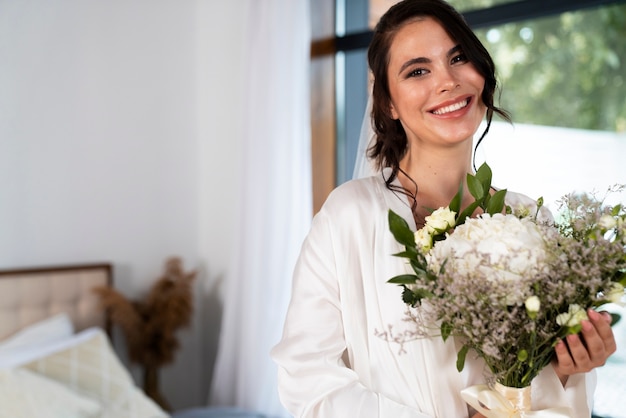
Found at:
<point>559,65</point>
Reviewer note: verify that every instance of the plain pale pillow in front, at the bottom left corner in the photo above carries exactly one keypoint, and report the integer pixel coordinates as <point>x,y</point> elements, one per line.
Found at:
<point>24,394</point>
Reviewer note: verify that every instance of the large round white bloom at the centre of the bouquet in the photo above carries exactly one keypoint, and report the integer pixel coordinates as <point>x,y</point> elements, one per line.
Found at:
<point>498,248</point>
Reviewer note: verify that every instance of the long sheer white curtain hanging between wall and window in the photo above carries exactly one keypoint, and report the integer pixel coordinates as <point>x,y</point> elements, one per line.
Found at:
<point>275,204</point>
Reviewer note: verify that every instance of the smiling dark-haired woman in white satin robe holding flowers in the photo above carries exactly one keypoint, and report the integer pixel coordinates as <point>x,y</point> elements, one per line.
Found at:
<point>343,353</point>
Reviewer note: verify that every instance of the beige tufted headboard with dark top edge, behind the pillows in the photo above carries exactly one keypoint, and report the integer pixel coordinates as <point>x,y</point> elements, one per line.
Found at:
<point>28,295</point>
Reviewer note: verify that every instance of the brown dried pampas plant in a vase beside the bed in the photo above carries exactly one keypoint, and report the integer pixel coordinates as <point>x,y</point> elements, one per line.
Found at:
<point>149,326</point>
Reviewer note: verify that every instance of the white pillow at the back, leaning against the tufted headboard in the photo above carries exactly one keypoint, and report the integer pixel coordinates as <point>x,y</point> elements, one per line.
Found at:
<point>50,329</point>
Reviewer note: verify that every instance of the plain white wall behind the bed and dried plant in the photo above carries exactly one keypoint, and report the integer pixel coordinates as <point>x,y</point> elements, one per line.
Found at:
<point>118,135</point>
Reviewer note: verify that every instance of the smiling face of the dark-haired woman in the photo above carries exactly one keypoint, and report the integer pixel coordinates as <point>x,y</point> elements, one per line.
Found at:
<point>435,90</point>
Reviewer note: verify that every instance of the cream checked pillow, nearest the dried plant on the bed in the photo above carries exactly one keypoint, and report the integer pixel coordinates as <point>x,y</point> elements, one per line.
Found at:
<point>91,368</point>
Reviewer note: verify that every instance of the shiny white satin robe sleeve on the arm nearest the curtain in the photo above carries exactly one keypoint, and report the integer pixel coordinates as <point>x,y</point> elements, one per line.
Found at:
<point>314,377</point>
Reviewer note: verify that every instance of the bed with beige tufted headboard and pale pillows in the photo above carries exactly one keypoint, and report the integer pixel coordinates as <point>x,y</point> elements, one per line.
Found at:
<point>56,354</point>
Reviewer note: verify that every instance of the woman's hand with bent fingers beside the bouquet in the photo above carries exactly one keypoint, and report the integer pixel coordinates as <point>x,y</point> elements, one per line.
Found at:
<point>587,350</point>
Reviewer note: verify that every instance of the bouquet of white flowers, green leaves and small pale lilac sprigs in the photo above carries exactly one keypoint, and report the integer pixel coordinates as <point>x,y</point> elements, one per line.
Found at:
<point>507,283</point>
